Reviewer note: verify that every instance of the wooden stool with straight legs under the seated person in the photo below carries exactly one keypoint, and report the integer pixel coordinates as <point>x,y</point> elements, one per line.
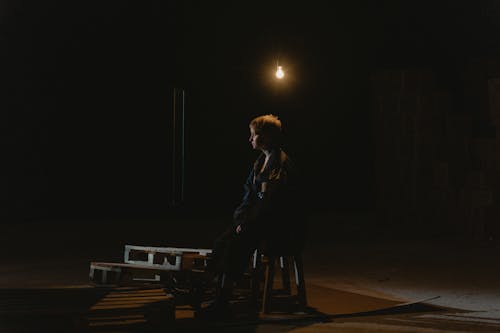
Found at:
<point>269,261</point>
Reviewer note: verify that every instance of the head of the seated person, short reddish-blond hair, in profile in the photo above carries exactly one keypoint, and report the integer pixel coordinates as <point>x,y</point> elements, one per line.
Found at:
<point>265,132</point>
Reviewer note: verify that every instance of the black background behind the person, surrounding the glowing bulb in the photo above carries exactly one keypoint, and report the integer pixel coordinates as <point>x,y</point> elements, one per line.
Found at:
<point>86,95</point>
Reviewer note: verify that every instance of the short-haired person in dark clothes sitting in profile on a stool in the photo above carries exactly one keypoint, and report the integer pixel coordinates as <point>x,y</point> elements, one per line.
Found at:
<point>268,213</point>
